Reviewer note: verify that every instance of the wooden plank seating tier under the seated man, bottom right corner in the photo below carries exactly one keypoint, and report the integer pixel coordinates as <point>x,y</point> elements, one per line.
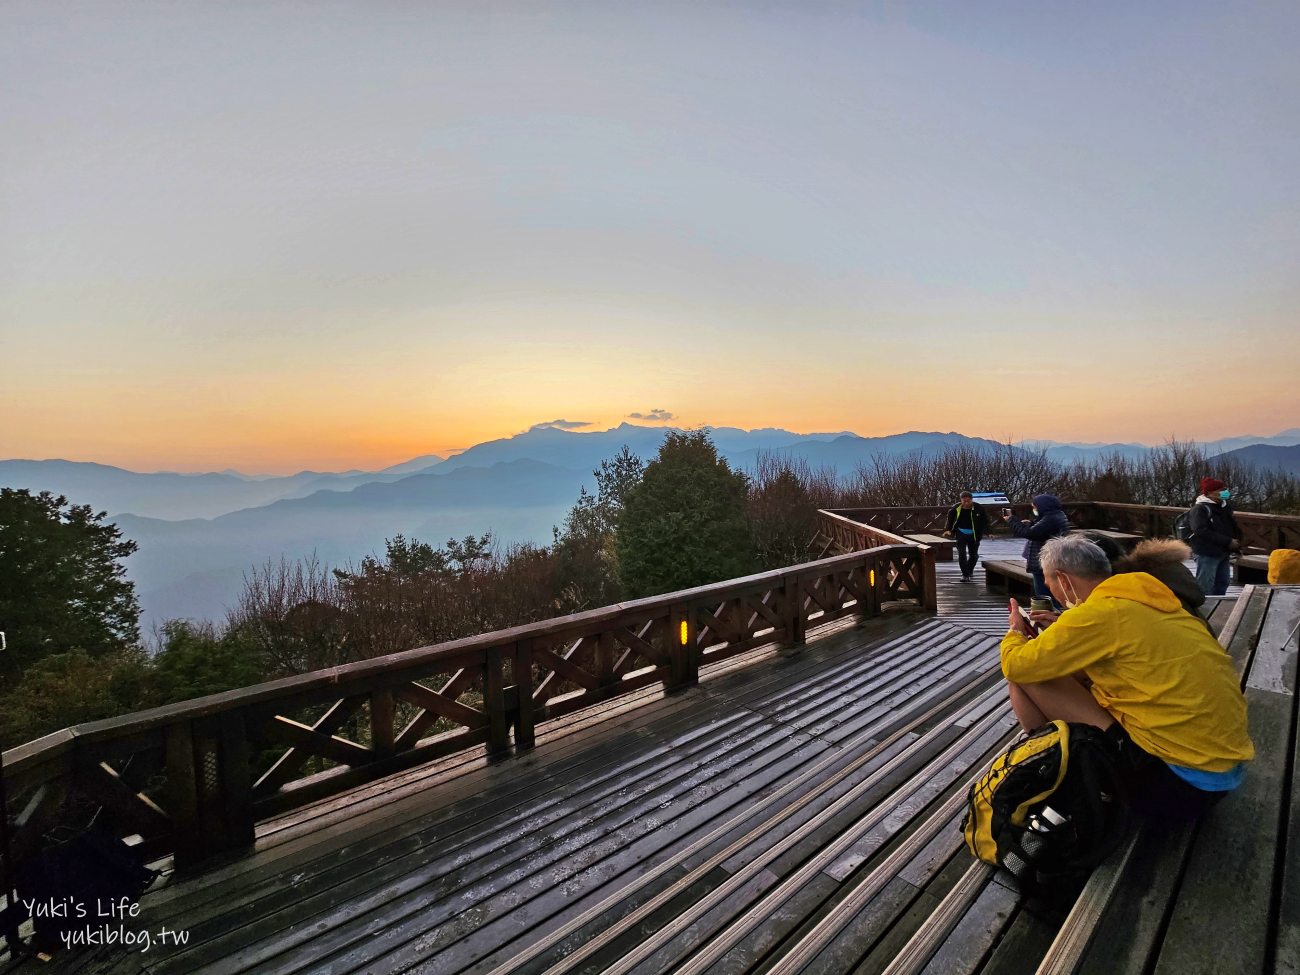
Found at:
<point>1221,895</point>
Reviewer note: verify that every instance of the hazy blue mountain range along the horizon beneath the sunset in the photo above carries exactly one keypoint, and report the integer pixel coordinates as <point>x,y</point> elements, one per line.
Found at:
<point>200,535</point>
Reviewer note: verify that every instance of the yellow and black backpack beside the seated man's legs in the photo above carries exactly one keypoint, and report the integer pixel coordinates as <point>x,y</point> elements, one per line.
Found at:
<point>1051,807</point>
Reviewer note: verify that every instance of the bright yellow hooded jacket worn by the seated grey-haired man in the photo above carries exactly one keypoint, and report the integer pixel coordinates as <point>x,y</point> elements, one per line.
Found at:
<point>1154,668</point>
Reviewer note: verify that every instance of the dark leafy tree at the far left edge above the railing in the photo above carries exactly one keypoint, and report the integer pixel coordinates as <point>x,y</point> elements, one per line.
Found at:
<point>63,584</point>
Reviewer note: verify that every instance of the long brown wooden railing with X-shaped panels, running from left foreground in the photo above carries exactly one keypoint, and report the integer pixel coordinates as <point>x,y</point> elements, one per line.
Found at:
<point>194,779</point>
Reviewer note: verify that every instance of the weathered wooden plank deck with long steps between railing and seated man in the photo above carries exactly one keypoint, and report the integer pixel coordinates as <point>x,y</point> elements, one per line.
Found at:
<point>796,812</point>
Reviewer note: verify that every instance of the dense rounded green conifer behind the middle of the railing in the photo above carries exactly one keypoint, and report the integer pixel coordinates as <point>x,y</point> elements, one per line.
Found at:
<point>684,525</point>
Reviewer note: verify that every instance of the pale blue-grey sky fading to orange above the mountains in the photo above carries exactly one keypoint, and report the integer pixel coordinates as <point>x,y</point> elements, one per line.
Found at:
<point>283,236</point>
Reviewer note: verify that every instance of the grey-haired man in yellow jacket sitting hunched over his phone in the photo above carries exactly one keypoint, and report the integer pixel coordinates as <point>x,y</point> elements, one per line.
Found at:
<point>1129,660</point>
